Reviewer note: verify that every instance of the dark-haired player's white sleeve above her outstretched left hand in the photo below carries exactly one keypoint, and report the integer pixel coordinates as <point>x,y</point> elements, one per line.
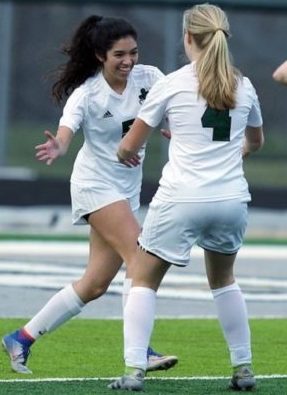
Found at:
<point>74,110</point>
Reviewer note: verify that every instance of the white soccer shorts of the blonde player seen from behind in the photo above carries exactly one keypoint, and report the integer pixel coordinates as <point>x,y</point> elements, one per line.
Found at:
<point>171,229</point>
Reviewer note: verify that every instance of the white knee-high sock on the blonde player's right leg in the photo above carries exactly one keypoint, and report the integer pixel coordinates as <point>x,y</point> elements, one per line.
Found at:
<point>232,314</point>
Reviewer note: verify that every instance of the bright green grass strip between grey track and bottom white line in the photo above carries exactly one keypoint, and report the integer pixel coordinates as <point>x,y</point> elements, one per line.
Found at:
<point>93,348</point>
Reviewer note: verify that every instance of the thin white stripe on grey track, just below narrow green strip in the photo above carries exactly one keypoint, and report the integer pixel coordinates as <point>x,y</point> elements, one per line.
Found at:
<point>76,249</point>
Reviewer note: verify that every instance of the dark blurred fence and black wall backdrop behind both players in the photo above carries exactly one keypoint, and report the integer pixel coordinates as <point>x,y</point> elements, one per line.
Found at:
<point>31,36</point>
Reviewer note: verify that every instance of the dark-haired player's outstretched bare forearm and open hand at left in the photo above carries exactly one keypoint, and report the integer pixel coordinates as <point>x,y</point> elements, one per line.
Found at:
<point>55,146</point>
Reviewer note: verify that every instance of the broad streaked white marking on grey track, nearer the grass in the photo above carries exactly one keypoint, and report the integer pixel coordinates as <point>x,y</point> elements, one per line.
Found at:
<point>51,276</point>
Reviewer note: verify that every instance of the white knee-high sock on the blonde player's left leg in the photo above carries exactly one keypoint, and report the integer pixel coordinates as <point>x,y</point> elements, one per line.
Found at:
<point>138,324</point>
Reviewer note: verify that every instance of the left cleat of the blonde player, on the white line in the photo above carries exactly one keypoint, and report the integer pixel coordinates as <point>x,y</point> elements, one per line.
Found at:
<point>133,380</point>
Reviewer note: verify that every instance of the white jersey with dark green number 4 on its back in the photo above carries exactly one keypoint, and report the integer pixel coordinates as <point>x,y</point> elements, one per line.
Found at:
<point>205,151</point>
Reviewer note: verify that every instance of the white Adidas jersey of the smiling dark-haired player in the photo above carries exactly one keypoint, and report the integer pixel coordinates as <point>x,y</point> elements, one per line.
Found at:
<point>105,116</point>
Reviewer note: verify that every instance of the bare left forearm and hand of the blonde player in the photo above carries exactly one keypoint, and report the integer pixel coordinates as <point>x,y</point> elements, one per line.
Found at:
<point>133,141</point>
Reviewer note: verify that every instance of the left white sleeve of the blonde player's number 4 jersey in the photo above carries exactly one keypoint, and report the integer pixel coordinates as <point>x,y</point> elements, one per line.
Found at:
<point>153,109</point>
